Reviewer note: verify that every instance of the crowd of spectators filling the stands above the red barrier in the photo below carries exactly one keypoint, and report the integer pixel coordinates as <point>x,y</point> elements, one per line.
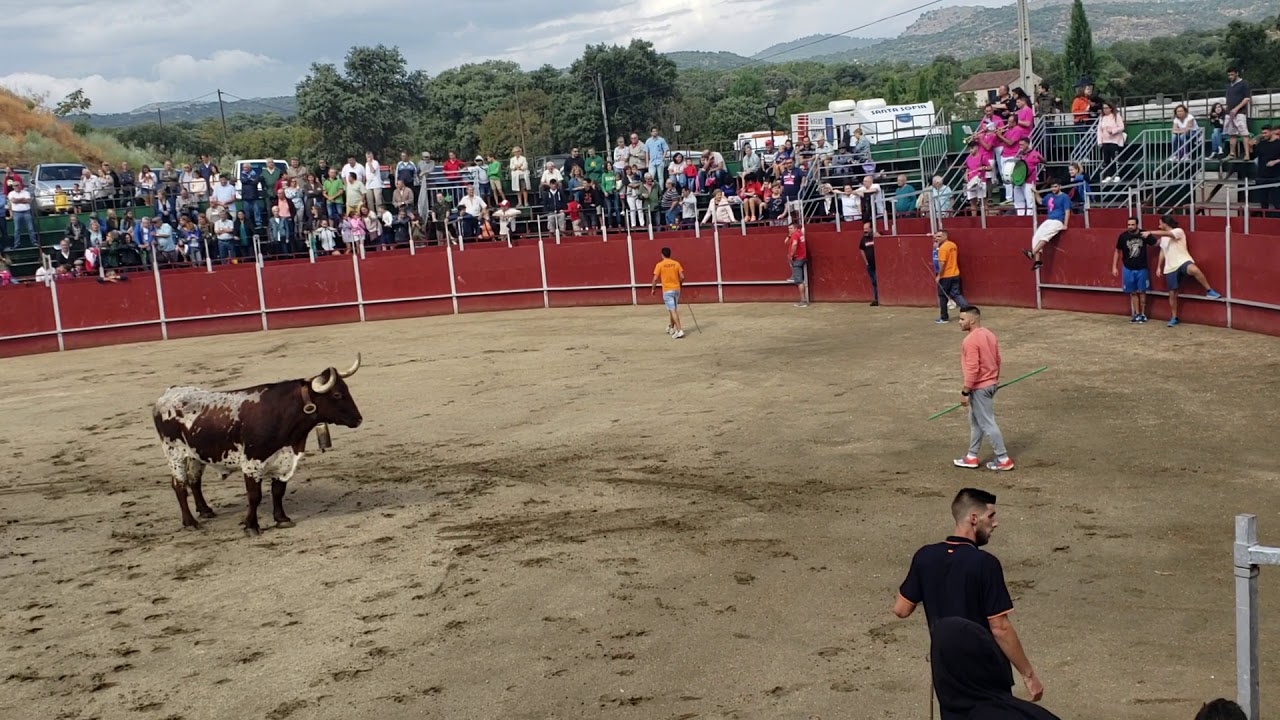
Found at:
<point>204,215</point>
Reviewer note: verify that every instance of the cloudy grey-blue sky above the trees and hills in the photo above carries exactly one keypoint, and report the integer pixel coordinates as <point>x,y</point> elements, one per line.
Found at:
<point>130,53</point>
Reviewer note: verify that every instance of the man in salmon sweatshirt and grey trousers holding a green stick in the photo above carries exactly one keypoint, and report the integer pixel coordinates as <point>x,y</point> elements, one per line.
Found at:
<point>980,359</point>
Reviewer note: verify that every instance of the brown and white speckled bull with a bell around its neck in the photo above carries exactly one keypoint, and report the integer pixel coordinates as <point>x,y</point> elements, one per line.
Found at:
<point>260,431</point>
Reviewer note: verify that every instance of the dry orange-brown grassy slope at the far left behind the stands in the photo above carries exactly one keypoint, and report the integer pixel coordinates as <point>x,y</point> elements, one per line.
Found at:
<point>33,136</point>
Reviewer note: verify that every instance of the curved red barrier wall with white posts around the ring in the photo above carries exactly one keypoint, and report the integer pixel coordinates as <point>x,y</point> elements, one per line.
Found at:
<point>1077,276</point>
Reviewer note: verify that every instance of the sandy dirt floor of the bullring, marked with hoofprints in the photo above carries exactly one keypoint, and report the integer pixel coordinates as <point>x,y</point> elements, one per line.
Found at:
<point>568,514</point>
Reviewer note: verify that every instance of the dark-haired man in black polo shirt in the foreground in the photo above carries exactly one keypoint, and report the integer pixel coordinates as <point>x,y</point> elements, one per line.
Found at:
<point>958,580</point>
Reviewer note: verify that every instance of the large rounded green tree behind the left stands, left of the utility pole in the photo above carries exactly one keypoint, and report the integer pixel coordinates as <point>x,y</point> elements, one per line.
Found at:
<point>368,107</point>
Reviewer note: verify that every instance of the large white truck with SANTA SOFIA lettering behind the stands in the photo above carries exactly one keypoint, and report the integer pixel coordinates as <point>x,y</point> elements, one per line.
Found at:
<point>880,121</point>
